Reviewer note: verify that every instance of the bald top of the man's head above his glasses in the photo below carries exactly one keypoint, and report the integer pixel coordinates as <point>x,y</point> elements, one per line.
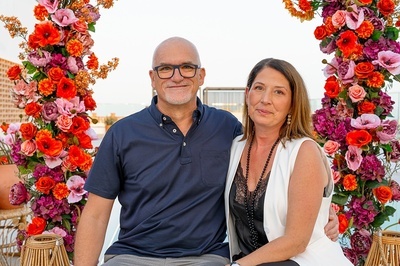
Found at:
<point>175,45</point>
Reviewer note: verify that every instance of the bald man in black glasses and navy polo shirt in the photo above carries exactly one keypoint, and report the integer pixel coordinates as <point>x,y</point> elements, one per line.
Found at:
<point>167,164</point>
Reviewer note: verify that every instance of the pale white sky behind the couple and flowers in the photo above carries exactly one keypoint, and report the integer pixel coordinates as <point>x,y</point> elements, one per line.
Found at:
<point>231,36</point>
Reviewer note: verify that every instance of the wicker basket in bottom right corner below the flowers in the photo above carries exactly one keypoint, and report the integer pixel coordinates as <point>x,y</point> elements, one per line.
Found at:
<point>385,249</point>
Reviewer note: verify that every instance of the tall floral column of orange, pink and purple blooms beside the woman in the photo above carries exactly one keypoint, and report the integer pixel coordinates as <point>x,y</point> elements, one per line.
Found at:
<point>354,124</point>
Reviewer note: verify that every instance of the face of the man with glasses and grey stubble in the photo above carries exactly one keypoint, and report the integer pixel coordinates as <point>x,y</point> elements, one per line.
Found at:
<point>176,90</point>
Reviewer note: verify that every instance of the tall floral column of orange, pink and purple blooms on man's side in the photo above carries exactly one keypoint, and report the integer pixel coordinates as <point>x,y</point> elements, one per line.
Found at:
<point>53,148</point>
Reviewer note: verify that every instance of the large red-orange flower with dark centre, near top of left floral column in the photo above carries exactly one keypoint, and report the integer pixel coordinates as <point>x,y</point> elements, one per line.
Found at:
<point>45,34</point>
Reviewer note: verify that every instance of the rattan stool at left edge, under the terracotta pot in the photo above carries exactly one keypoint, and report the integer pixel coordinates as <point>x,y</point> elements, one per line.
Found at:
<point>10,222</point>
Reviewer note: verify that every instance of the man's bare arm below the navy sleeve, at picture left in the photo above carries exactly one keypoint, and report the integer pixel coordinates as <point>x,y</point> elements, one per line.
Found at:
<point>91,230</point>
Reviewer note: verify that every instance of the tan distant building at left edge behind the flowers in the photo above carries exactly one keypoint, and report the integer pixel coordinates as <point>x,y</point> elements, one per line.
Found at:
<point>8,112</point>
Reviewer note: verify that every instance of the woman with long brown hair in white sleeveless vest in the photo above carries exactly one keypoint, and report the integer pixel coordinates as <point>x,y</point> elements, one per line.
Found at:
<point>279,185</point>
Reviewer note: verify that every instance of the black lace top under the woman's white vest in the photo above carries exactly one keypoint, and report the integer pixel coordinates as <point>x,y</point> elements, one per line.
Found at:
<point>238,211</point>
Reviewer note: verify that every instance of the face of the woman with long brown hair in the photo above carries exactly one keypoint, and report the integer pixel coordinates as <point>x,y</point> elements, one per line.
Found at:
<point>269,99</point>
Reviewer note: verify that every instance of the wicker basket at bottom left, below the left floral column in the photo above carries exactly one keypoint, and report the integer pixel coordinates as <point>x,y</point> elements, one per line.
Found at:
<point>44,250</point>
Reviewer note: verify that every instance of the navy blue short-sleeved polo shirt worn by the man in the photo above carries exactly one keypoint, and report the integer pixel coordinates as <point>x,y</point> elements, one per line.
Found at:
<point>170,186</point>
